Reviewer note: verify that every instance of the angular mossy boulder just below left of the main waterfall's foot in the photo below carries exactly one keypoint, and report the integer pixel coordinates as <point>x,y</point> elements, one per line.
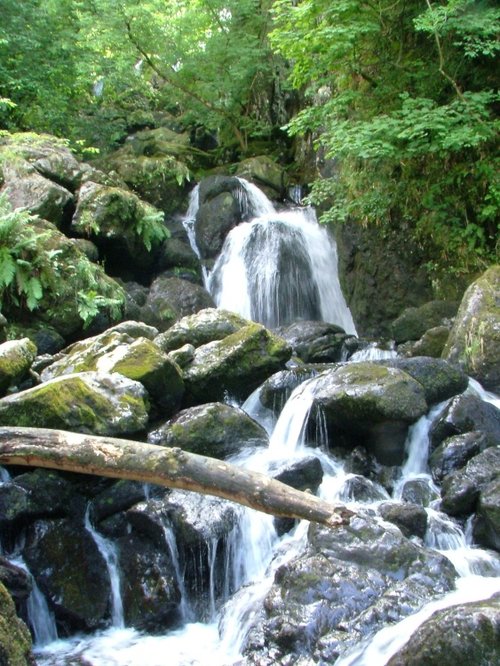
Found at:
<point>235,365</point>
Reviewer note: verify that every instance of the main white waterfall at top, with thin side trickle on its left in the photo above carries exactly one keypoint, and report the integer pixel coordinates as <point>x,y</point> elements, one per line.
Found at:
<point>277,268</point>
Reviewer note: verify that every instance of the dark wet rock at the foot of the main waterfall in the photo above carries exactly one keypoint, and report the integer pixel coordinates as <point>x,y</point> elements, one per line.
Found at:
<point>315,341</point>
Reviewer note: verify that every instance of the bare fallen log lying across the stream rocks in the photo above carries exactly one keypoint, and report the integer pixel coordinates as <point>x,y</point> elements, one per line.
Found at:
<point>171,467</point>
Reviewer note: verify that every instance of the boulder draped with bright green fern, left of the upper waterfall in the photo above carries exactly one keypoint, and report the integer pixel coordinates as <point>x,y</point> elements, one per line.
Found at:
<point>124,228</point>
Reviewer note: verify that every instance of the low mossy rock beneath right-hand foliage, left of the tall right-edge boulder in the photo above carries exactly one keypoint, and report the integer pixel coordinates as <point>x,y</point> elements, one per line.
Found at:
<point>415,321</point>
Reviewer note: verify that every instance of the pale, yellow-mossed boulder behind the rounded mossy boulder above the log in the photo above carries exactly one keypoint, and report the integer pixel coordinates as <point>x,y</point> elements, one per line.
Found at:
<point>135,358</point>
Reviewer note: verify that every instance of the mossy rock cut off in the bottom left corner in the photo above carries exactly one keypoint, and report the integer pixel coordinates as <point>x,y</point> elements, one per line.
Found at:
<point>15,639</point>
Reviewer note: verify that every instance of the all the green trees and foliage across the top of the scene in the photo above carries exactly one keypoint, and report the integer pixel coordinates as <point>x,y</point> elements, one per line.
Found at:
<point>397,95</point>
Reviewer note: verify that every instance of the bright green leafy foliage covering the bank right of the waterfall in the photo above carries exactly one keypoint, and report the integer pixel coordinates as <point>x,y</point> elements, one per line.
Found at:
<point>402,98</point>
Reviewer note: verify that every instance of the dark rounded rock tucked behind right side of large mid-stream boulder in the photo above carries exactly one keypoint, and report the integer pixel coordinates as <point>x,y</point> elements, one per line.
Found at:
<point>439,379</point>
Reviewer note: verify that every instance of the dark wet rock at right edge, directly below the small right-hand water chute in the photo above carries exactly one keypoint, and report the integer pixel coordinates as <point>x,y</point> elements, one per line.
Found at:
<point>466,413</point>
